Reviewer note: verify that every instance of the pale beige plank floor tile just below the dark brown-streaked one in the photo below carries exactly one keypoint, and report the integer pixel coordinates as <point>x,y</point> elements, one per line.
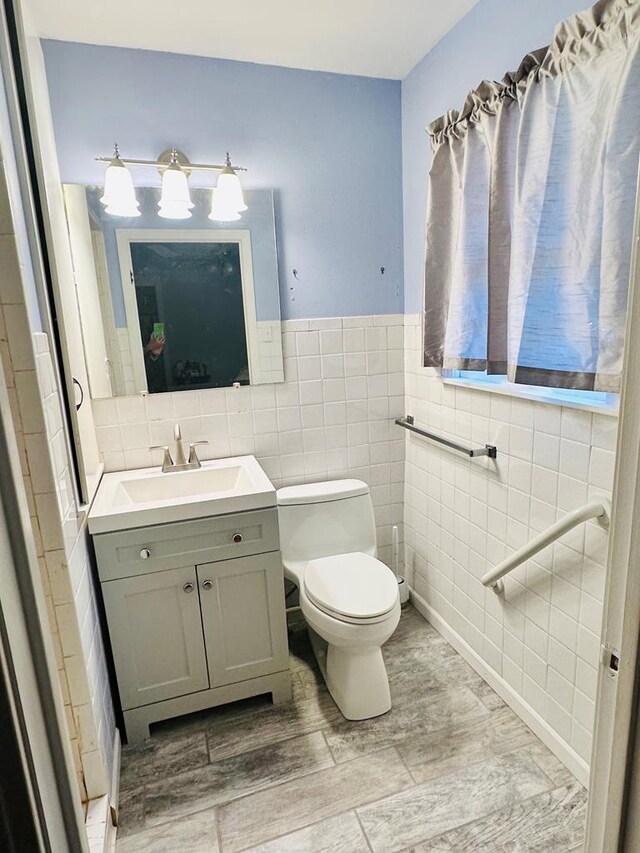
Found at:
<point>281,810</point>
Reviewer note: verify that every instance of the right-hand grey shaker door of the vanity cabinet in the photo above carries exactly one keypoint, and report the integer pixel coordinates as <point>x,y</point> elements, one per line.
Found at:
<point>243,615</point>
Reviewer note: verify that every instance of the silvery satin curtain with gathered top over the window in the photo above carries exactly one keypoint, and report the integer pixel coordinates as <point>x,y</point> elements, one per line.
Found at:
<point>531,205</point>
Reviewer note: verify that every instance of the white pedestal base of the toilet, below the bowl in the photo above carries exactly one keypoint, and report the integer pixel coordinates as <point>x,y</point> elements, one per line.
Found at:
<point>355,677</point>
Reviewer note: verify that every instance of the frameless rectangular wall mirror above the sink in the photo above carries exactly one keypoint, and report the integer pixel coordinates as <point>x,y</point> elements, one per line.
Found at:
<point>174,305</point>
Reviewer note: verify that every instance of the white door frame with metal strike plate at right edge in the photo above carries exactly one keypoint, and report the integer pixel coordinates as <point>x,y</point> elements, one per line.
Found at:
<point>610,807</point>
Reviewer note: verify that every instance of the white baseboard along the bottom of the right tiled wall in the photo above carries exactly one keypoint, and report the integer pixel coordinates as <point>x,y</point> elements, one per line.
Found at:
<point>568,756</point>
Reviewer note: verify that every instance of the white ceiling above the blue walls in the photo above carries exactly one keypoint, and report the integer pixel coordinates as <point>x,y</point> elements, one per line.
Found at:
<point>375,38</point>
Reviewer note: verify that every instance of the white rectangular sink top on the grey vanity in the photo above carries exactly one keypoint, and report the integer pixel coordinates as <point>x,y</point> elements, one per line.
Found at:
<point>146,496</point>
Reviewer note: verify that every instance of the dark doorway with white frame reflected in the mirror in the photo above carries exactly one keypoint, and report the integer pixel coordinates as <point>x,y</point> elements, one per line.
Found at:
<point>171,281</point>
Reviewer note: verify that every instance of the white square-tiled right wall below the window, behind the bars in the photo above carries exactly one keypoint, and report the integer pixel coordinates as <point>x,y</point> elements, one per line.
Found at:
<point>463,516</point>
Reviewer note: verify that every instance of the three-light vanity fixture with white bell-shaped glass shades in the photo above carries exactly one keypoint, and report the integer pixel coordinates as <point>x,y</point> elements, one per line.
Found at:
<point>119,198</point>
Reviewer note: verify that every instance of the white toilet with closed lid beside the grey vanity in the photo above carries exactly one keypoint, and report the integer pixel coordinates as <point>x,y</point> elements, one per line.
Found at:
<point>348,597</point>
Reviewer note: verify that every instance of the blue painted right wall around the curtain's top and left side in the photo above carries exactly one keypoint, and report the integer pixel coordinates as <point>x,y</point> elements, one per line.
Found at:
<point>489,41</point>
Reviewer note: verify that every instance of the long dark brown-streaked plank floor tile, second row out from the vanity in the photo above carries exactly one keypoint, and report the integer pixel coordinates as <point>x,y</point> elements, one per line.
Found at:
<point>234,777</point>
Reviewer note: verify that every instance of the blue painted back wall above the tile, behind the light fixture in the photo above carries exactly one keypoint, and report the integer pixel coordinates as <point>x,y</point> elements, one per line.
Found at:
<point>328,144</point>
